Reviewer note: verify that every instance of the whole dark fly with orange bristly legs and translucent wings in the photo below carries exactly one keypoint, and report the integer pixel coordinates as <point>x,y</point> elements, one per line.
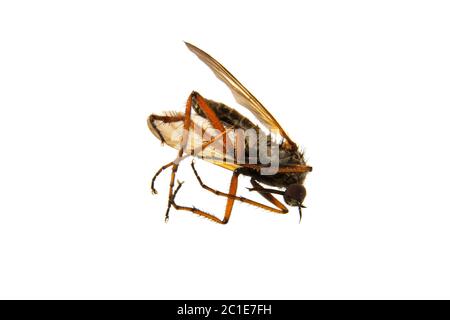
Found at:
<point>209,130</point>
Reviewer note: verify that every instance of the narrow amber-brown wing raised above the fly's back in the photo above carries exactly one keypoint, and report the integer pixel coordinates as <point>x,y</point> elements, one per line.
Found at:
<point>241,94</point>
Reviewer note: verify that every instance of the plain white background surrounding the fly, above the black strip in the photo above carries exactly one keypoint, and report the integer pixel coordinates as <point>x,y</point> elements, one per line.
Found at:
<point>363,86</point>
